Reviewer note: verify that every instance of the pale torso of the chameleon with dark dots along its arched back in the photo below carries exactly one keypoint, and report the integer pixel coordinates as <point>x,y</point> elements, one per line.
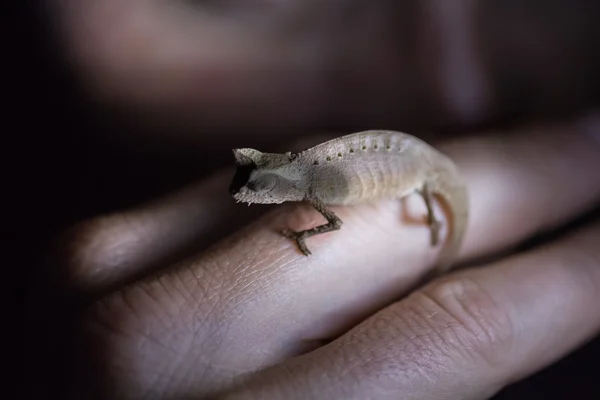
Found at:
<point>369,165</point>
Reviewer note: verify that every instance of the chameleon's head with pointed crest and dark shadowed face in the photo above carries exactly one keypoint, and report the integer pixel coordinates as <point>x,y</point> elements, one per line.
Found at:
<point>265,178</point>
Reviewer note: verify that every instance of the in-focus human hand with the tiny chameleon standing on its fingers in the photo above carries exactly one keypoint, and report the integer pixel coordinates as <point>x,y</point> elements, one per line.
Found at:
<point>253,314</point>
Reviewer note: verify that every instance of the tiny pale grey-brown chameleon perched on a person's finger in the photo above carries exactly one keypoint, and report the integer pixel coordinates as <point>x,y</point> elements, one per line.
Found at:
<point>360,167</point>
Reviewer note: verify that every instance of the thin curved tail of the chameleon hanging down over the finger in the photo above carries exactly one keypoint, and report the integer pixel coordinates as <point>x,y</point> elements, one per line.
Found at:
<point>455,198</point>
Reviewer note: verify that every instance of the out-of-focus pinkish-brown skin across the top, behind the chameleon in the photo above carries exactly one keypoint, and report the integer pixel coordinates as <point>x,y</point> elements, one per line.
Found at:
<point>272,65</point>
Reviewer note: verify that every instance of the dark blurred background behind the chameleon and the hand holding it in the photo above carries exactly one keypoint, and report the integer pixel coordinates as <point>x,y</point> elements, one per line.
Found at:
<point>113,103</point>
